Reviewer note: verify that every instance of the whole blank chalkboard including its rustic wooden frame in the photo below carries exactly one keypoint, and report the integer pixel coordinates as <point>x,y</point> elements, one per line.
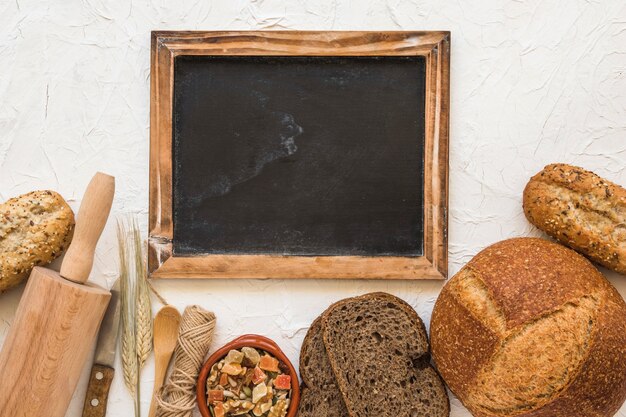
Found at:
<point>299,155</point>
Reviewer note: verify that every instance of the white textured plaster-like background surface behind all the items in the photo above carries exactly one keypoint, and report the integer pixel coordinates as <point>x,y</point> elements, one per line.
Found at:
<point>533,82</point>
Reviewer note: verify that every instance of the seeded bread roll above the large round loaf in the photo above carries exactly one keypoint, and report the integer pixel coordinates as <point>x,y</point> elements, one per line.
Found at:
<point>580,210</point>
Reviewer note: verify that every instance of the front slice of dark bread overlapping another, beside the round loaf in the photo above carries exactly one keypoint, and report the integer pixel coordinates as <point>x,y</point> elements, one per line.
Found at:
<point>378,349</point>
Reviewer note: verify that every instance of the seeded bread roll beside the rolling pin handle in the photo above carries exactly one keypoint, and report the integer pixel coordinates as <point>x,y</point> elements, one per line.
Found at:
<point>35,228</point>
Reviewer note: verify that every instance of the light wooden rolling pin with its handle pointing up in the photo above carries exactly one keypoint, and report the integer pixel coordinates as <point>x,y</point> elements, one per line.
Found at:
<point>57,320</point>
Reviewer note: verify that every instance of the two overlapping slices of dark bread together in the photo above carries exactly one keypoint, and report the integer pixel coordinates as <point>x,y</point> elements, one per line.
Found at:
<point>369,356</point>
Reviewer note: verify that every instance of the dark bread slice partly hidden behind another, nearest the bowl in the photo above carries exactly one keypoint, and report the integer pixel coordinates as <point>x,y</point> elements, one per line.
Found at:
<point>320,395</point>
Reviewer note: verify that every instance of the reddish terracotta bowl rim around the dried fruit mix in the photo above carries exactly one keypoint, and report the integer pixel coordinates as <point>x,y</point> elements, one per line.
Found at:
<point>251,340</point>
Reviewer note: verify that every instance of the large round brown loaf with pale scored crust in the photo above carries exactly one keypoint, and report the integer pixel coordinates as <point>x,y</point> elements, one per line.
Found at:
<point>531,328</point>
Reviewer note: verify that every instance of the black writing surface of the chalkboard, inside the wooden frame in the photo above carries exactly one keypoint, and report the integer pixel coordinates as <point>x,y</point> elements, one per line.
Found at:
<point>299,155</point>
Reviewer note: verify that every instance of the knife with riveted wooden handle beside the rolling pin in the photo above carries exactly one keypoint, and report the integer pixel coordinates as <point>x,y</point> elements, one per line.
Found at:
<point>102,370</point>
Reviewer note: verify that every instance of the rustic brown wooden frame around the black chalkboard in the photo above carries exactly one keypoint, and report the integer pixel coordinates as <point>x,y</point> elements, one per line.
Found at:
<point>433,46</point>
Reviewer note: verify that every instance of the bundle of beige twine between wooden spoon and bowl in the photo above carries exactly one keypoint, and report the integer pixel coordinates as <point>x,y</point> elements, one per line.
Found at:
<point>177,398</point>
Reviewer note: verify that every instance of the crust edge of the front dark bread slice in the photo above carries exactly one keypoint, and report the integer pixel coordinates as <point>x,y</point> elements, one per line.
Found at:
<point>423,358</point>
